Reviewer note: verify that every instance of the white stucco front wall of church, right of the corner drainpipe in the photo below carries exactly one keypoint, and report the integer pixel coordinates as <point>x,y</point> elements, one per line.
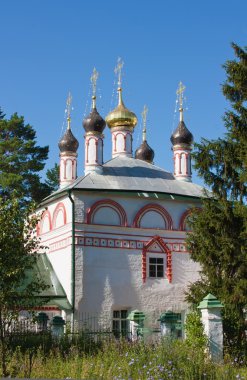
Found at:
<point>111,277</point>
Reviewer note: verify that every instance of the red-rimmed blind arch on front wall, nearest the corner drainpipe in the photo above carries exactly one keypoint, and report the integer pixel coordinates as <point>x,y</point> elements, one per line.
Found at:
<point>107,212</point>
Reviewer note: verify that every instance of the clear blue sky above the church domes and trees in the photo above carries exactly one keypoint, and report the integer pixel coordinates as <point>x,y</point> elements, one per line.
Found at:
<point>49,47</point>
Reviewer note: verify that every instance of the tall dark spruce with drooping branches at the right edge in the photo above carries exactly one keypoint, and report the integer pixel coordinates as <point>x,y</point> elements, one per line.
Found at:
<point>218,240</point>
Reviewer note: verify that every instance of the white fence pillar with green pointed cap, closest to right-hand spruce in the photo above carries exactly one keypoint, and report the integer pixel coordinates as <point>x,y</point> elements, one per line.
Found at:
<point>212,322</point>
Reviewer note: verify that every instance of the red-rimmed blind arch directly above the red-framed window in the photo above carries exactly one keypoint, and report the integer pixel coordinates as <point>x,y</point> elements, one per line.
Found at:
<point>153,216</point>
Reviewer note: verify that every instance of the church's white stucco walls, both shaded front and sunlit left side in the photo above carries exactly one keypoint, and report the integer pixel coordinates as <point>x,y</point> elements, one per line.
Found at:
<point>108,256</point>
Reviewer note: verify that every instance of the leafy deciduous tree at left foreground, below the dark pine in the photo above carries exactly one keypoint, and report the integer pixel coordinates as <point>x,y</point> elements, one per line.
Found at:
<point>19,286</point>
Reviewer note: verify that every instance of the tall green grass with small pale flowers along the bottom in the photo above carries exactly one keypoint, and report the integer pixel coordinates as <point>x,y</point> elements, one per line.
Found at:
<point>122,360</point>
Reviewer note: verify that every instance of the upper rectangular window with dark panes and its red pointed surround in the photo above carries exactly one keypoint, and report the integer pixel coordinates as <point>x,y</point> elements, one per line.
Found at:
<point>156,260</point>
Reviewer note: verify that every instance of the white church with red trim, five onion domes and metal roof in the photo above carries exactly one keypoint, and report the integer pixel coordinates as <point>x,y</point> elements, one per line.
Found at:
<point>115,236</point>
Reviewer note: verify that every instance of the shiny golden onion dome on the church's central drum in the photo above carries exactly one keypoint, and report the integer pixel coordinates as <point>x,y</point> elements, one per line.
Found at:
<point>121,116</point>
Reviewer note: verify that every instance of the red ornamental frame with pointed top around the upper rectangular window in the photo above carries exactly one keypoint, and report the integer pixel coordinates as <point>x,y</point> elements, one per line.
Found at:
<point>157,240</point>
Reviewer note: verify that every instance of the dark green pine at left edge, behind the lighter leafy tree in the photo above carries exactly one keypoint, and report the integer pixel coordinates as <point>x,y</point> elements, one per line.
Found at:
<point>21,159</point>
